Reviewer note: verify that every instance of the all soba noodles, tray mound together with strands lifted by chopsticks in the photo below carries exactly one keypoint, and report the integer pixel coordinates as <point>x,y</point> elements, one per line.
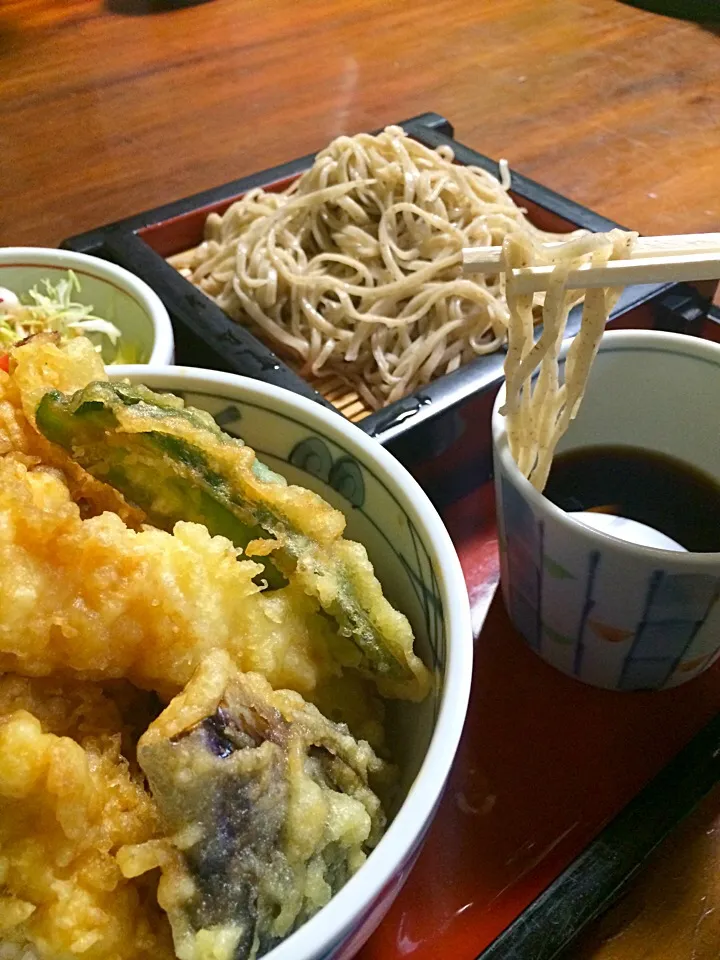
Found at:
<point>355,270</point>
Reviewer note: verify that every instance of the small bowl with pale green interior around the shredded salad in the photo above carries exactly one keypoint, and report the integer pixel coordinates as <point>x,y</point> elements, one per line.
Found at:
<point>114,293</point>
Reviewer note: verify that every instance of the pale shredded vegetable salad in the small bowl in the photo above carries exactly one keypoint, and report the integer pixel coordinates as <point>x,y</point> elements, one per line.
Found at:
<point>50,307</point>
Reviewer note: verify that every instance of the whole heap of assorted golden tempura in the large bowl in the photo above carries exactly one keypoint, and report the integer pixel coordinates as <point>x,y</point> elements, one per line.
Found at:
<point>140,547</point>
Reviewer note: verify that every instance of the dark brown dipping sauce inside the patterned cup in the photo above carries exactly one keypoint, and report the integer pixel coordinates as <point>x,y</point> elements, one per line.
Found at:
<point>663,493</point>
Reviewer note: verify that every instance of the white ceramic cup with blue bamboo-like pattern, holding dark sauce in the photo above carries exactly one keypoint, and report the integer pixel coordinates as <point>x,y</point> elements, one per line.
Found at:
<point>613,613</point>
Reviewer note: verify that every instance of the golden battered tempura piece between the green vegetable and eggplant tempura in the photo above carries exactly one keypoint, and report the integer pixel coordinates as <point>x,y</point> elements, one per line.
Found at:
<point>98,599</point>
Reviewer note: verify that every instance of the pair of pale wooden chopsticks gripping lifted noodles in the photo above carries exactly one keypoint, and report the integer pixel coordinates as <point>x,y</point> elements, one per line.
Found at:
<point>652,260</point>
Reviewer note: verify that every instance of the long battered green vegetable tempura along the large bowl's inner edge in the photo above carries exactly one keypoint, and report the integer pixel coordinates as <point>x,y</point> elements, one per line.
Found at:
<point>175,463</point>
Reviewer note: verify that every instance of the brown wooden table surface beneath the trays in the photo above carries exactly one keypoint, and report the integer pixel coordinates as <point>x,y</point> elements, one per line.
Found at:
<point>106,109</point>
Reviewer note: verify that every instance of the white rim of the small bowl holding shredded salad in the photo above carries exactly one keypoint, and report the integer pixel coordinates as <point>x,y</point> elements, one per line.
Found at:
<point>119,277</point>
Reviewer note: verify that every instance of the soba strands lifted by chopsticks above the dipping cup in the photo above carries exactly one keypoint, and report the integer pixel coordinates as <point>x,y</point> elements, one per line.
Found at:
<point>539,408</point>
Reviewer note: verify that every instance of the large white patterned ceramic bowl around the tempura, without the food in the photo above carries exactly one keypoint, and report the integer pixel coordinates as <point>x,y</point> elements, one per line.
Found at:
<point>416,562</point>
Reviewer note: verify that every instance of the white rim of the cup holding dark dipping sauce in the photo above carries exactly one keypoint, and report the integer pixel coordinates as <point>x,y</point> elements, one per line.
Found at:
<point>692,347</point>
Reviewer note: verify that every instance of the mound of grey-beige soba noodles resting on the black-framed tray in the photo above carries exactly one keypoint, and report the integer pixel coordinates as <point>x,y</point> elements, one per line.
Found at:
<point>356,270</point>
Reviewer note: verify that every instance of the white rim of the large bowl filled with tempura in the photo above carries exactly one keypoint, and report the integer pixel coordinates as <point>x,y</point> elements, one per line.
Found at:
<point>328,927</point>
